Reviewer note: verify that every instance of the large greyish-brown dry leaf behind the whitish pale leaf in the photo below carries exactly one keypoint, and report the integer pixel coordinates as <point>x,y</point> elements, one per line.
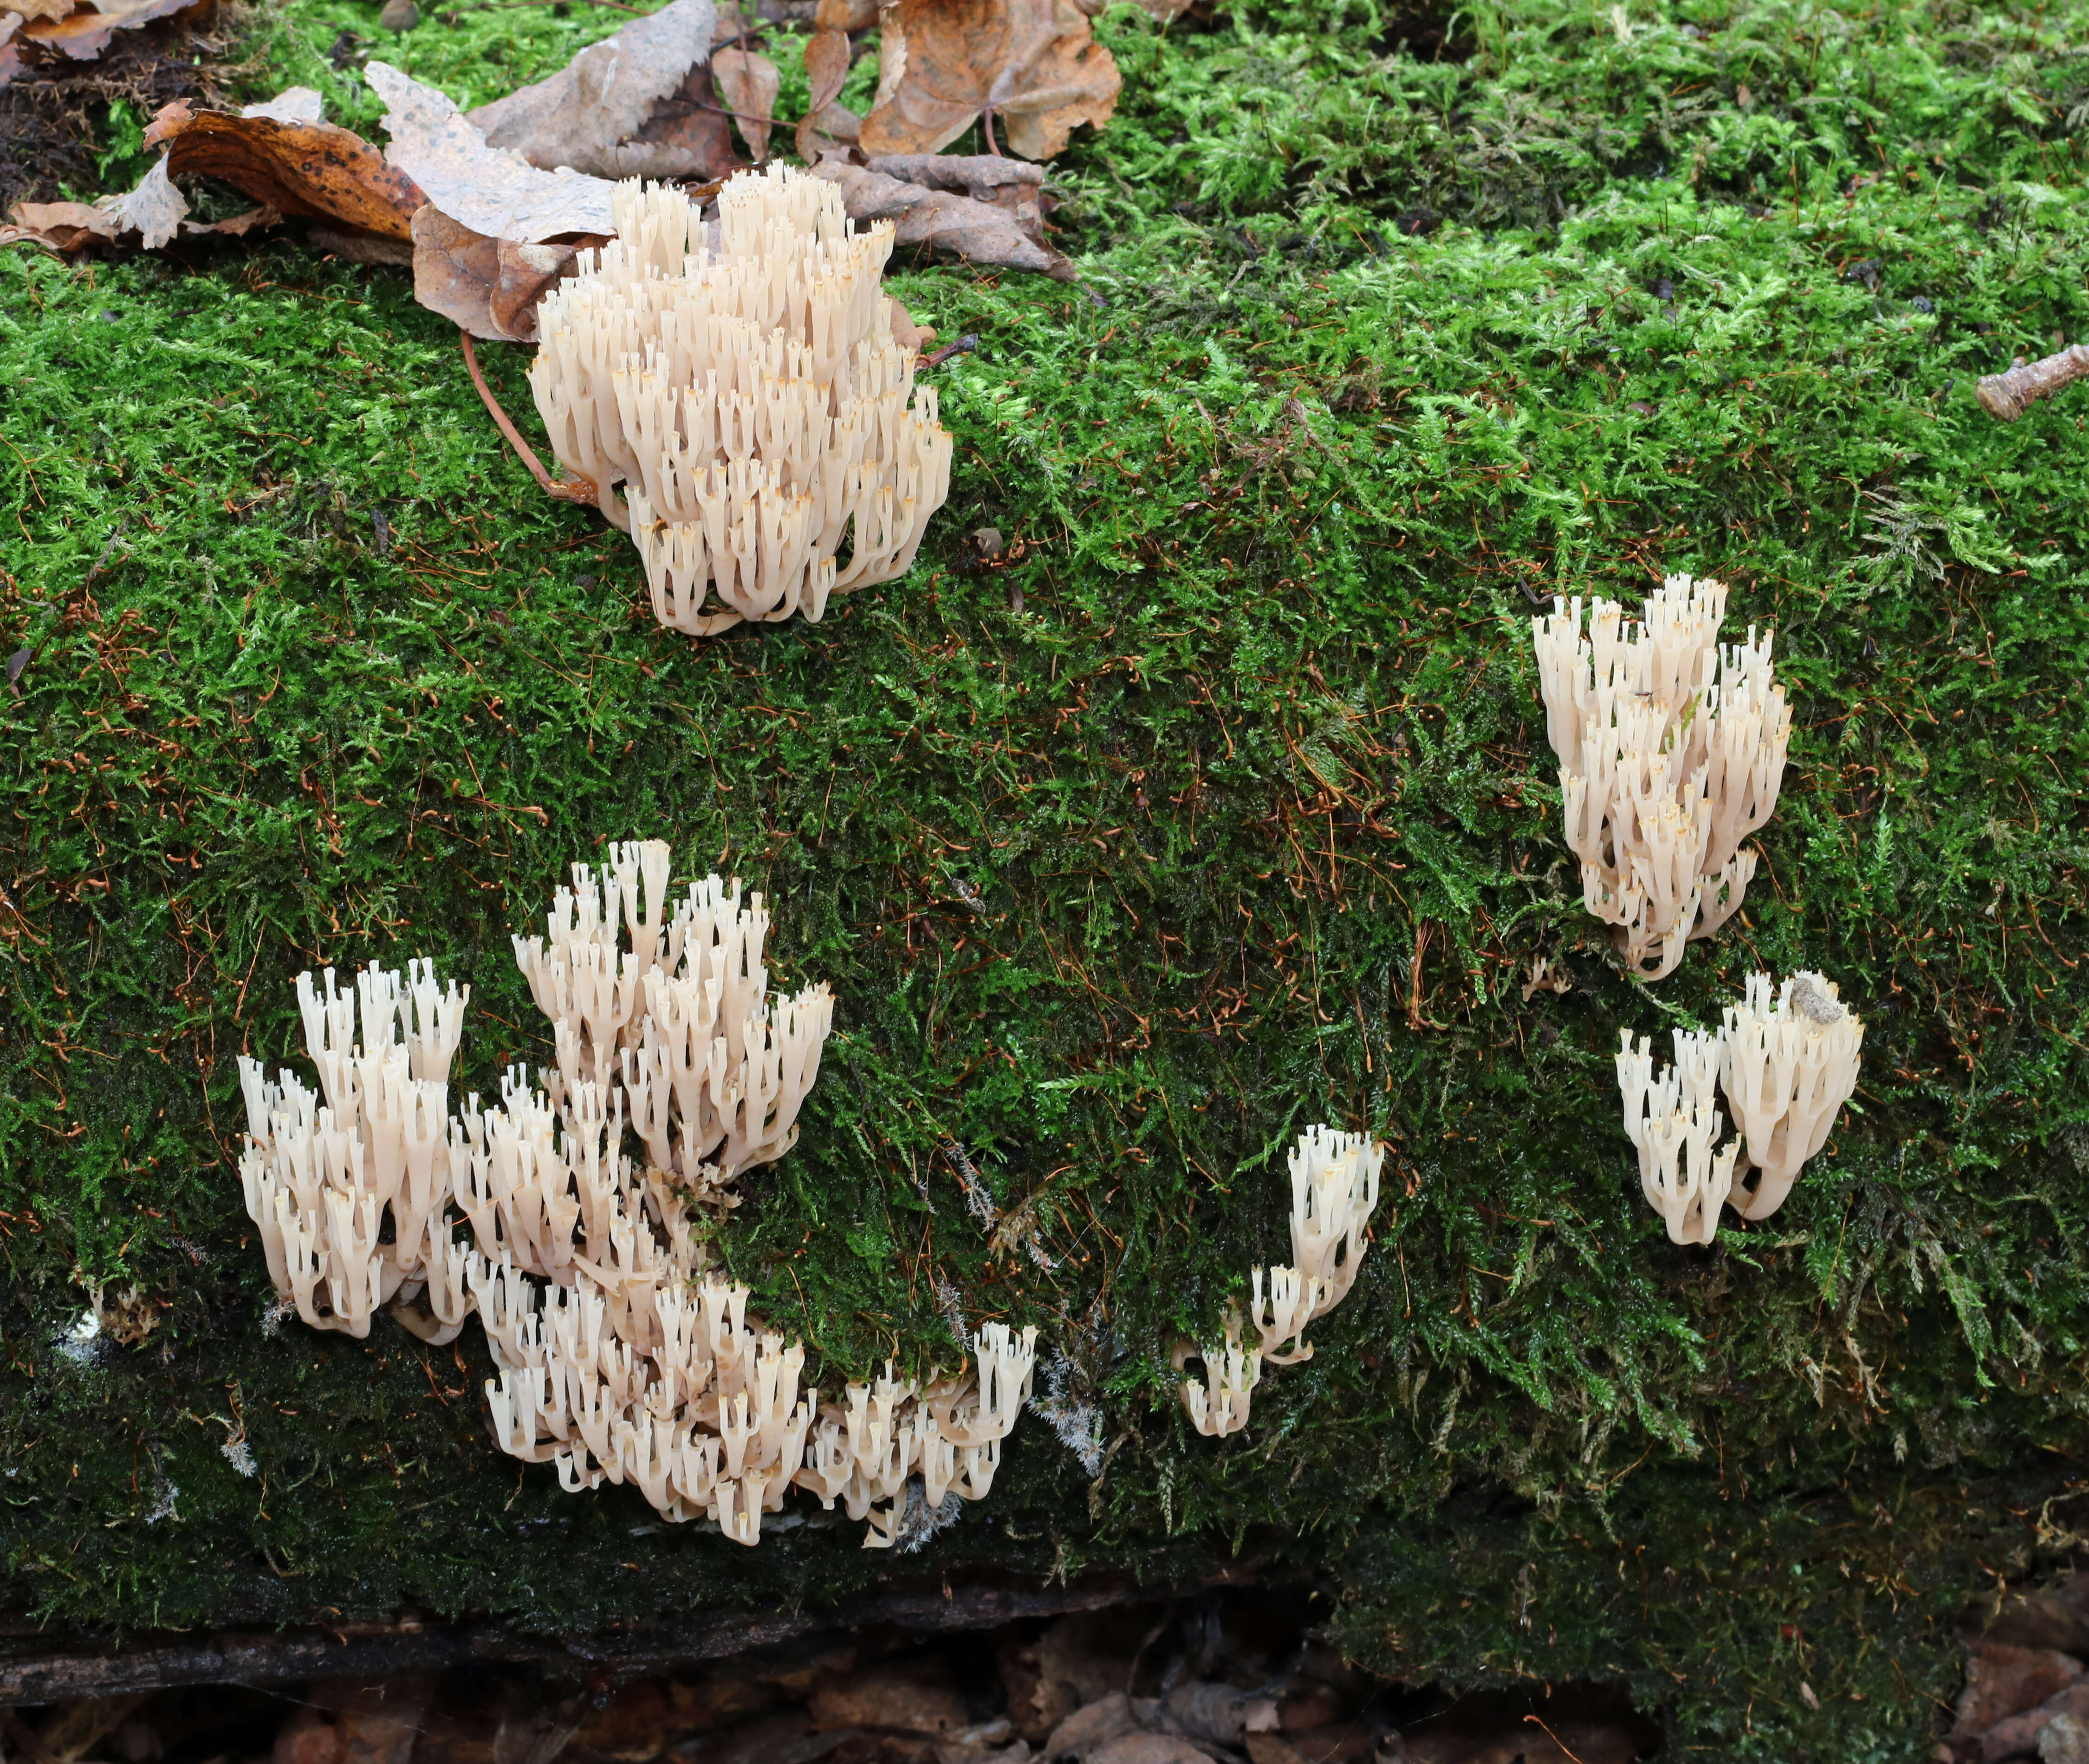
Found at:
<point>636,106</point>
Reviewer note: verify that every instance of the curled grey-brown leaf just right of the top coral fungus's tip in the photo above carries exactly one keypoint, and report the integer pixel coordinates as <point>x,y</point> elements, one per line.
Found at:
<point>952,218</point>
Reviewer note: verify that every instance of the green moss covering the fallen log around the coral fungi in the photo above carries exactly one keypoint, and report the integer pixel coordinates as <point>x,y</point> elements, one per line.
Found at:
<point>1240,820</point>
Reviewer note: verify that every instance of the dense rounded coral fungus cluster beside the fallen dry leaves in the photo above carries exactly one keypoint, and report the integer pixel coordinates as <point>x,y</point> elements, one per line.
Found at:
<point>743,379</point>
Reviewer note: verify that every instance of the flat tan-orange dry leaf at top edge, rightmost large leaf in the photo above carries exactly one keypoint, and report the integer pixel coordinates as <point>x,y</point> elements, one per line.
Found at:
<point>1033,66</point>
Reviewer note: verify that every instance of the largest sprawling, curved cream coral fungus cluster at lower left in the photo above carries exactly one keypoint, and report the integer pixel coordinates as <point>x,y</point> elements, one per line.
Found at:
<point>619,1355</point>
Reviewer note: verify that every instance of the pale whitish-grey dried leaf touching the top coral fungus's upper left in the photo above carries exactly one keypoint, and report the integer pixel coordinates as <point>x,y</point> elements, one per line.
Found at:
<point>494,193</point>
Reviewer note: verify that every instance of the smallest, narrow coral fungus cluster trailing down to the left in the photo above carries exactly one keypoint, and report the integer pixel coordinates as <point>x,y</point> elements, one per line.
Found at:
<point>1334,1194</point>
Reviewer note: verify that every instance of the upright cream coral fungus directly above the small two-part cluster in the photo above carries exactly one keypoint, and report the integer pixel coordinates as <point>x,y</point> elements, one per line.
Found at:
<point>1672,753</point>
